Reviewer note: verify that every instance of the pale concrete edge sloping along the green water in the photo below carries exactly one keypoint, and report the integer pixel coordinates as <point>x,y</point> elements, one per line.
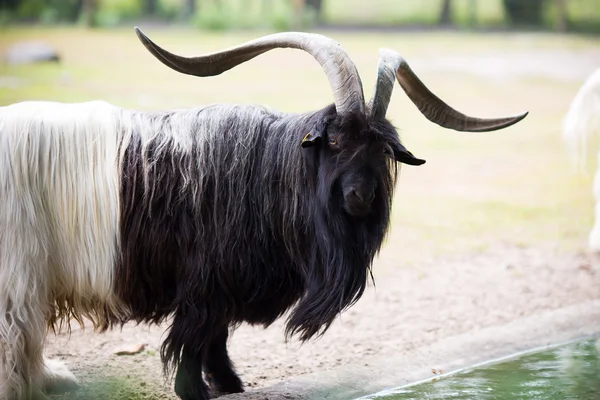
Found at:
<point>377,373</point>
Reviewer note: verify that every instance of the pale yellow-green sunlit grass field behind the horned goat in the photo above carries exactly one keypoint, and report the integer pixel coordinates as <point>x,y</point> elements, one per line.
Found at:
<point>512,186</point>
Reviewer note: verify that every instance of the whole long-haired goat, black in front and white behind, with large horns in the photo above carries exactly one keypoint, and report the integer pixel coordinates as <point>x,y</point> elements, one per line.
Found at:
<point>208,216</point>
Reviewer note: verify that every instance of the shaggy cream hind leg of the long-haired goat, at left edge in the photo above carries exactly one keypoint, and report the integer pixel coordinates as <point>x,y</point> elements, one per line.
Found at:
<point>24,308</point>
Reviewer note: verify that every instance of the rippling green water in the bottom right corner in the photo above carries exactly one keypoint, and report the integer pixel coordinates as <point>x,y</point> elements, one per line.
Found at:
<point>569,372</point>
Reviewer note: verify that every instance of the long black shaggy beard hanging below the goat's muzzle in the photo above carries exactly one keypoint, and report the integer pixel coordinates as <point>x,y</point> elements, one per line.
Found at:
<point>341,261</point>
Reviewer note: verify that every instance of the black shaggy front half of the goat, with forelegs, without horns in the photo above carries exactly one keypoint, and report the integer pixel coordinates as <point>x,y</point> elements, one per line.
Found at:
<point>226,218</point>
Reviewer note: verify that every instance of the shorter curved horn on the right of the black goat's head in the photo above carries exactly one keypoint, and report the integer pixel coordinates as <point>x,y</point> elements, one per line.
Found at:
<point>392,66</point>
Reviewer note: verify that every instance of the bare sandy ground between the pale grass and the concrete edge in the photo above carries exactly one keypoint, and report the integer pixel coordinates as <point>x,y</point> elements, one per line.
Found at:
<point>409,307</point>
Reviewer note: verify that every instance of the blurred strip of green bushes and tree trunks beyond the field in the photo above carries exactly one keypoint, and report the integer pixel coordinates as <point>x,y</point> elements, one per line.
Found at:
<point>561,15</point>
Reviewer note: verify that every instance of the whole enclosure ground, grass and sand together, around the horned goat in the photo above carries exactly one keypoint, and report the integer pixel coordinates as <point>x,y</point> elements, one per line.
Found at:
<point>491,228</point>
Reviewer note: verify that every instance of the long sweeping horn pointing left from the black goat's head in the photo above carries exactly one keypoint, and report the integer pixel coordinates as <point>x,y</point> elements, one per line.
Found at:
<point>339,68</point>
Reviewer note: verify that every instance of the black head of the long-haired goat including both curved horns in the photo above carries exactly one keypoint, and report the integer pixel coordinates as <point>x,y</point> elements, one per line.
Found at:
<point>355,145</point>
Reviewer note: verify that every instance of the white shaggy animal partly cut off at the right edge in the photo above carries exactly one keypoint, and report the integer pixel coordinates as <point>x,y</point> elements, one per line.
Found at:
<point>580,124</point>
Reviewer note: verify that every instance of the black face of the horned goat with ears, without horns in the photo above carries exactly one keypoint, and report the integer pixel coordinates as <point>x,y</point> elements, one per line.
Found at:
<point>357,158</point>
